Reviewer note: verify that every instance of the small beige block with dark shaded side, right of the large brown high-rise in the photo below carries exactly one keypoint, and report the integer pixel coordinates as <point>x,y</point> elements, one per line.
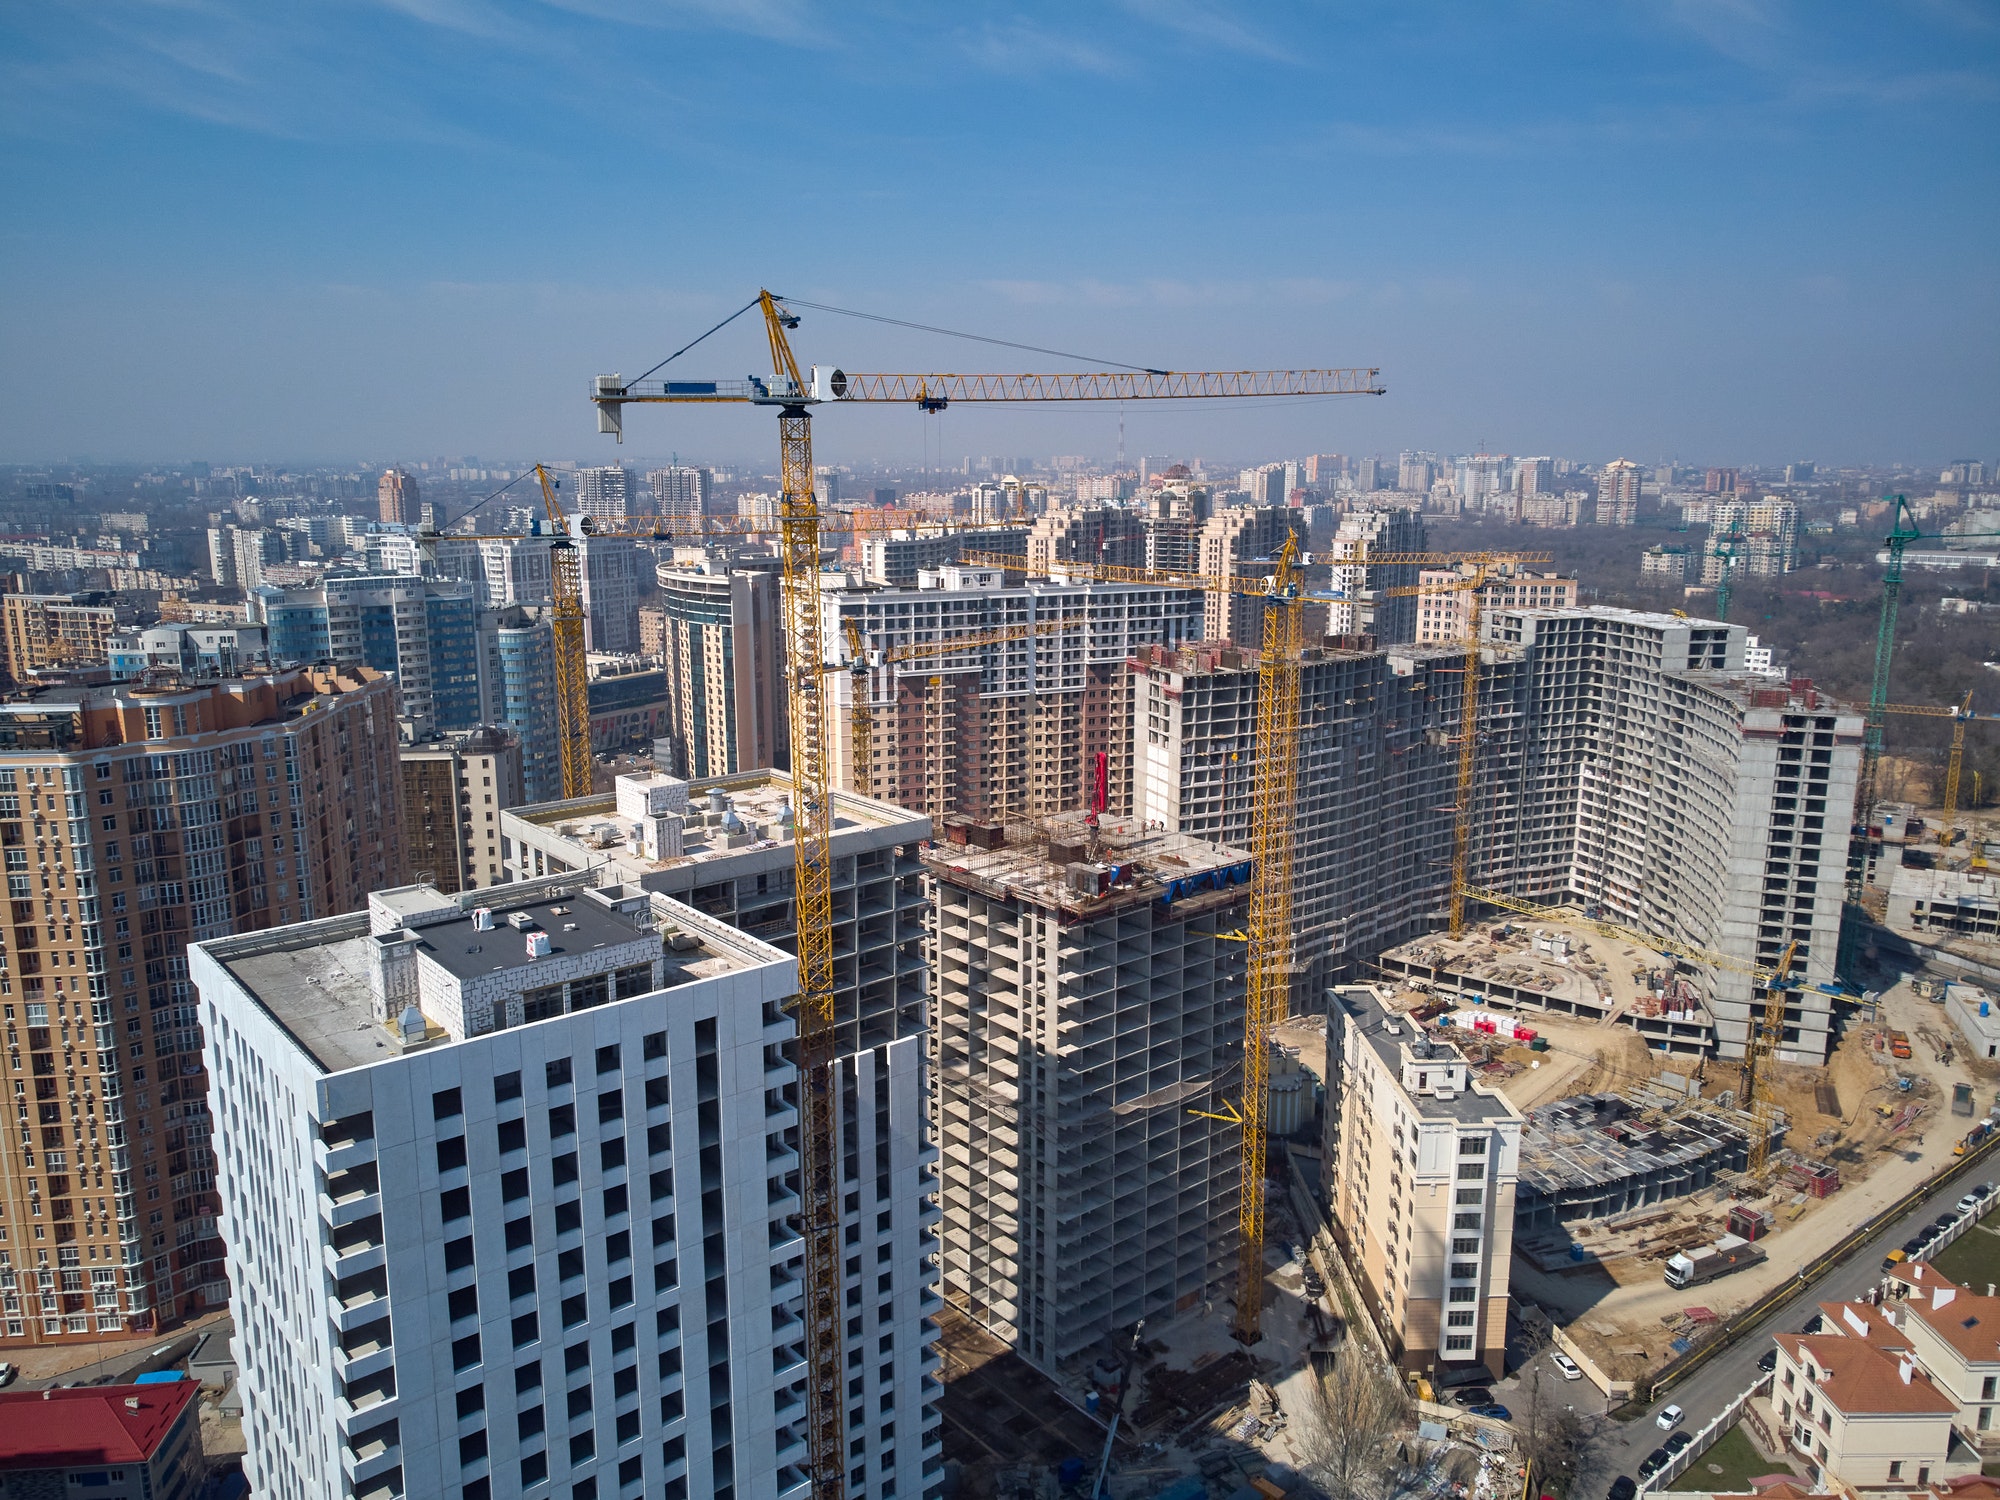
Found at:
<point>453,795</point>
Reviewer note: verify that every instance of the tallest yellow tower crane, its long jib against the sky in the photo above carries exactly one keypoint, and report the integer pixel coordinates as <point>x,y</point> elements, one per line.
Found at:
<point>793,395</point>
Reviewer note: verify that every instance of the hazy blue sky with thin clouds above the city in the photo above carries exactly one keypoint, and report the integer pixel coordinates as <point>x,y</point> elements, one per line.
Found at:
<point>1733,231</point>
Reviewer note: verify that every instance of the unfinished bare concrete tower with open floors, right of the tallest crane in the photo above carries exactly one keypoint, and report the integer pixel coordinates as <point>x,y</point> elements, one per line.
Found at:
<point>1089,1013</point>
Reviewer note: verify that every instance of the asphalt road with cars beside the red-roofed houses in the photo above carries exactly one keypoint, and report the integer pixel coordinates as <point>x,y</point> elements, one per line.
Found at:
<point>1727,1375</point>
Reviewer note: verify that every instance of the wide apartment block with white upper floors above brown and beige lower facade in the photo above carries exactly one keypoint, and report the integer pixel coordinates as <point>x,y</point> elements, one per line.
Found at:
<point>1009,729</point>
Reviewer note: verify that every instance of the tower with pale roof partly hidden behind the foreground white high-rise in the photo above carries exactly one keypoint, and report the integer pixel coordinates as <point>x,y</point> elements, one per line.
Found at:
<point>725,851</point>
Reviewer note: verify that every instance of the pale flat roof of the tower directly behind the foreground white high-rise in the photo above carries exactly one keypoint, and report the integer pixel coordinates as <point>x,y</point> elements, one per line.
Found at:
<point>757,799</point>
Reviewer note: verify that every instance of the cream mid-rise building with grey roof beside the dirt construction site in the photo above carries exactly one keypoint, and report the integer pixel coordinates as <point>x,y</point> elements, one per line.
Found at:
<point>1423,1169</point>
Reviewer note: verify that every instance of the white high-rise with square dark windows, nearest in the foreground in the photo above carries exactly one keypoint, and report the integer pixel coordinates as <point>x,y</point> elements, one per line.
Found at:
<point>509,1201</point>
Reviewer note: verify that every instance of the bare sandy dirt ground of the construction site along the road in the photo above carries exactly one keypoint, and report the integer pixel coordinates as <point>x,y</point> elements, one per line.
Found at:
<point>1627,1307</point>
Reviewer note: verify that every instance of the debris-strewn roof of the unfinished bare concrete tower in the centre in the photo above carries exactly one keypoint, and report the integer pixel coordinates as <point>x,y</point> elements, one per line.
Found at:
<point>1137,867</point>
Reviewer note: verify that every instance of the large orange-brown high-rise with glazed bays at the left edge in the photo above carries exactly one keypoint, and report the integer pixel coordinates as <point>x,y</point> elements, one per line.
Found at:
<point>133,823</point>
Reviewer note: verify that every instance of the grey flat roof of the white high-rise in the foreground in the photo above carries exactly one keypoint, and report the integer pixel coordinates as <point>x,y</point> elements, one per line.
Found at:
<point>315,979</point>
